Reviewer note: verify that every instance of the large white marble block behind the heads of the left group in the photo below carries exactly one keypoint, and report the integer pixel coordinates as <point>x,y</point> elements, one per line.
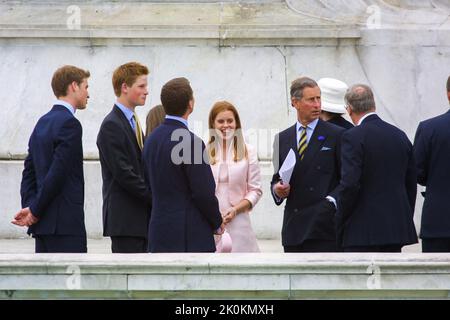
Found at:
<point>251,78</point>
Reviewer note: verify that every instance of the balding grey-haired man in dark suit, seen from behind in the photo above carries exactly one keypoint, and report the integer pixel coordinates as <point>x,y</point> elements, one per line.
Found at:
<point>376,203</point>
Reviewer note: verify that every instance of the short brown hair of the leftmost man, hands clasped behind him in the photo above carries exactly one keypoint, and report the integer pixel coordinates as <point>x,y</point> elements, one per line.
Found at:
<point>65,76</point>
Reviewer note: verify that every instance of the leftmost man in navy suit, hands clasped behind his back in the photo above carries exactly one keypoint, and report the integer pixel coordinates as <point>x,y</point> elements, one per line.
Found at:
<point>52,187</point>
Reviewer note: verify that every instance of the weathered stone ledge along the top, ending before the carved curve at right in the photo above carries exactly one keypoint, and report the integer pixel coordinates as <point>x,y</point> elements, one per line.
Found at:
<point>214,20</point>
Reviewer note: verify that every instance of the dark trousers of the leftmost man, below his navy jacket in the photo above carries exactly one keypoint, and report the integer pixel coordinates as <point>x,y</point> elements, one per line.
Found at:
<point>60,244</point>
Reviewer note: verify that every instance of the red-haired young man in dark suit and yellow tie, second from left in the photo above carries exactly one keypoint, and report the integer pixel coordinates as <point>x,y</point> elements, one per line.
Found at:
<point>126,198</point>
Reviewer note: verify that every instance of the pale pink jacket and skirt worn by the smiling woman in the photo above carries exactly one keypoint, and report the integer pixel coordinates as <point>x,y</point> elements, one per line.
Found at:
<point>227,192</point>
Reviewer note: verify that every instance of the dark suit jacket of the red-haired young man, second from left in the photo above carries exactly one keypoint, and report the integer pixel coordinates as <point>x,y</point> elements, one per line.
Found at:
<point>126,198</point>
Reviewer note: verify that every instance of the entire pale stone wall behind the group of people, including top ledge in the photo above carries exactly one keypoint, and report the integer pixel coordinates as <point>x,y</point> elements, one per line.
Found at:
<point>246,52</point>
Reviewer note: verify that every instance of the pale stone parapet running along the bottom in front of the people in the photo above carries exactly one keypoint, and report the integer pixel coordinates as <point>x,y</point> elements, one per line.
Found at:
<point>244,276</point>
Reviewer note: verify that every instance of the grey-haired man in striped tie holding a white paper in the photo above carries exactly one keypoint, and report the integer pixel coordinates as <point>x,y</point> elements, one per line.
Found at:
<point>308,223</point>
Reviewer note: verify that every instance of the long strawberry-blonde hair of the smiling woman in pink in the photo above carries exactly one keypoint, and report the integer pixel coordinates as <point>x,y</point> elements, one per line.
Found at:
<point>239,148</point>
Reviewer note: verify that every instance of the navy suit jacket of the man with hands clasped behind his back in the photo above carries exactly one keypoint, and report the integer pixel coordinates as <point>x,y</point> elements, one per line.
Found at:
<point>52,180</point>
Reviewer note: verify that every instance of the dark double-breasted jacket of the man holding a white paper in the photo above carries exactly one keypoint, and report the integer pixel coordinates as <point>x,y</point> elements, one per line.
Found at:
<point>308,214</point>
